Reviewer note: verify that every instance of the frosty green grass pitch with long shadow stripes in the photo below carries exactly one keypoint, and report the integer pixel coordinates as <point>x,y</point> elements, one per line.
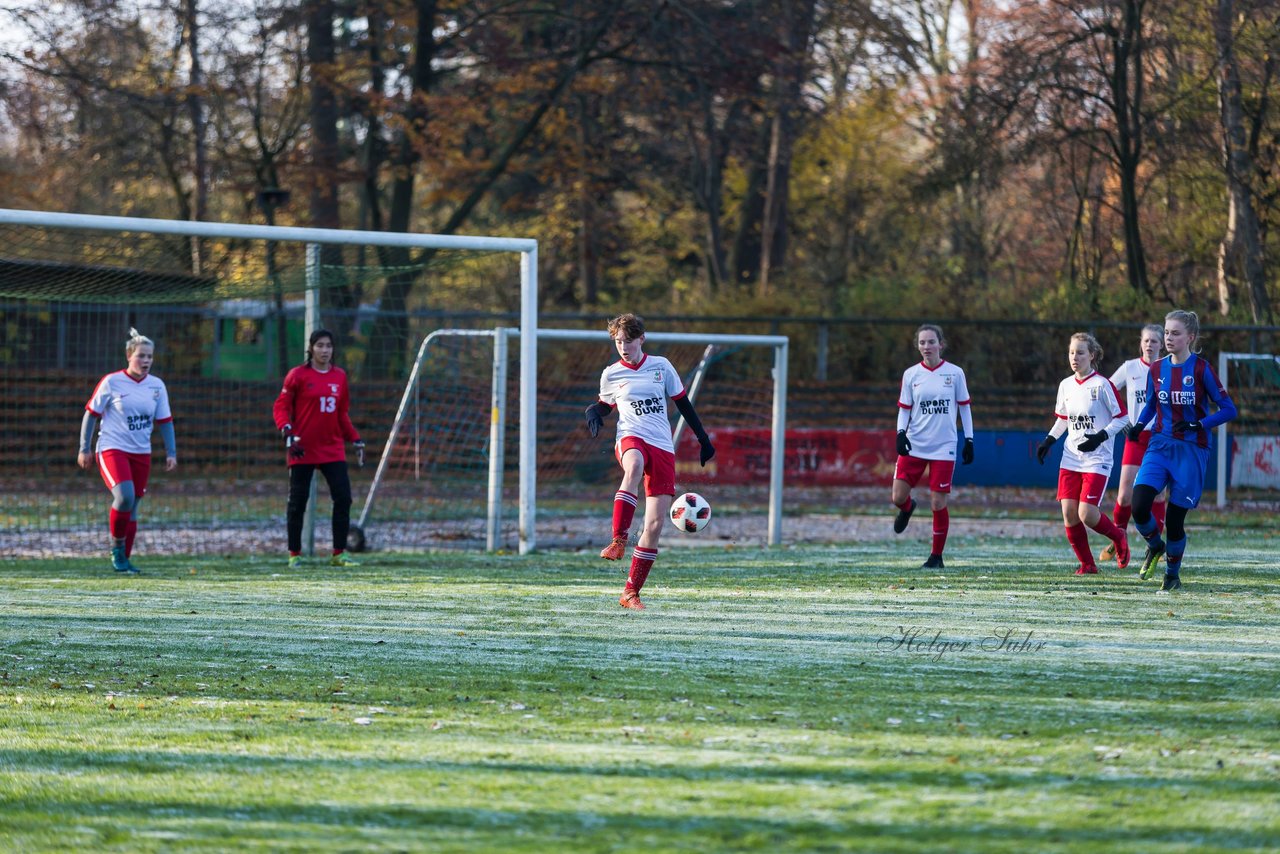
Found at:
<point>789,700</point>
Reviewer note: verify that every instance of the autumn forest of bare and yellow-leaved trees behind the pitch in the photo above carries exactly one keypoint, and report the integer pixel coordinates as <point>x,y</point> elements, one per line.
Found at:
<point>862,158</point>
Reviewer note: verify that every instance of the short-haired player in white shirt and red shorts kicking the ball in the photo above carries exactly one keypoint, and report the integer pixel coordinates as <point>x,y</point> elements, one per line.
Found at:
<point>638,387</point>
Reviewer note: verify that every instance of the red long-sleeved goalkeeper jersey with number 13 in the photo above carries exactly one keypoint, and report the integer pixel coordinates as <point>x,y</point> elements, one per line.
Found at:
<point>317,404</point>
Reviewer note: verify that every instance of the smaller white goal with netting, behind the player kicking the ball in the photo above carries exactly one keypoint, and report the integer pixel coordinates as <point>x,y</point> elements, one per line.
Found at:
<point>442,473</point>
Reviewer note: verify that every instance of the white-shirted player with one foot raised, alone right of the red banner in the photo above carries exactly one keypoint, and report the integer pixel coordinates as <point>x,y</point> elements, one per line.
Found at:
<point>932,394</point>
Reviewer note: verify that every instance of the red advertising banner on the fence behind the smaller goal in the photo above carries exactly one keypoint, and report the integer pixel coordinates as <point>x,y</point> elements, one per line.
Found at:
<point>813,458</point>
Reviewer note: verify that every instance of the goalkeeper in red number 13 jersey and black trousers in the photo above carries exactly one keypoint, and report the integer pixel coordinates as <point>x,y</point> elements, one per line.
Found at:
<point>312,414</point>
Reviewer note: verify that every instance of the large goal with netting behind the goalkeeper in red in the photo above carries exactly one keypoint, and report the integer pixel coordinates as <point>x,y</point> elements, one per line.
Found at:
<point>230,308</point>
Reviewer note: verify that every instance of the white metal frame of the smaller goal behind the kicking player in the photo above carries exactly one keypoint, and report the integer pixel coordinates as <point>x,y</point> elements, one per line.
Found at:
<point>528,499</point>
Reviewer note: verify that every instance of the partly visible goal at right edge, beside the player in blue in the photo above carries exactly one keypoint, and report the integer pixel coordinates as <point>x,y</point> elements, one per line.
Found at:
<point>1252,459</point>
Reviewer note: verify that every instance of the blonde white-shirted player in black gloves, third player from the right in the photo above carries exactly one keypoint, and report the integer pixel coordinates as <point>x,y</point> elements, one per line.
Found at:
<point>1091,414</point>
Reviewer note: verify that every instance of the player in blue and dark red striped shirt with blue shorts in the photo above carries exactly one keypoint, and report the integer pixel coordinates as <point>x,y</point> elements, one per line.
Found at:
<point>1180,390</point>
